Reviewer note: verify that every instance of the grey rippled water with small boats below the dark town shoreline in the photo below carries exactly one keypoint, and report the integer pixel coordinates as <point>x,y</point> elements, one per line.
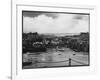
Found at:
<point>54,58</point>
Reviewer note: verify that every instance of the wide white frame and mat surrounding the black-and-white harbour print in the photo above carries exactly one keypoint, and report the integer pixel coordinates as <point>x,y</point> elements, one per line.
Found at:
<point>18,73</point>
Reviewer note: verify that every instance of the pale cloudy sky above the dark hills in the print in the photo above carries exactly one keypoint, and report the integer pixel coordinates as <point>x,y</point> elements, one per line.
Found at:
<point>48,22</point>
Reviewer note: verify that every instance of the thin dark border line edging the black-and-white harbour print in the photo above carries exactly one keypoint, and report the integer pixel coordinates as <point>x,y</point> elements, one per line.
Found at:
<point>61,13</point>
